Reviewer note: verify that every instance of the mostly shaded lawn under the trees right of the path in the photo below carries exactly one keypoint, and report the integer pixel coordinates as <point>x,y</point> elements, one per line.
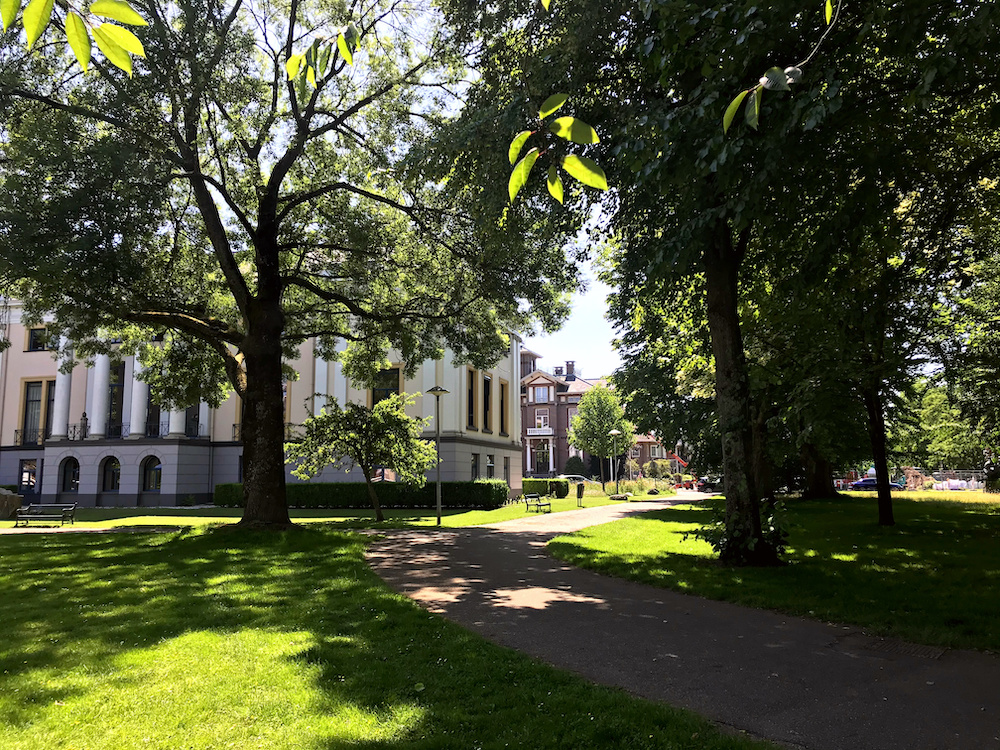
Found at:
<point>933,578</point>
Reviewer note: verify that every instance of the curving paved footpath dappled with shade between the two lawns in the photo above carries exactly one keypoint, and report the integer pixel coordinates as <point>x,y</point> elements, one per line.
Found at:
<point>798,682</point>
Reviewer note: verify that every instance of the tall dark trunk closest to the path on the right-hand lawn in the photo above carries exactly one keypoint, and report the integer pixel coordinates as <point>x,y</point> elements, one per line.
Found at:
<point>745,544</point>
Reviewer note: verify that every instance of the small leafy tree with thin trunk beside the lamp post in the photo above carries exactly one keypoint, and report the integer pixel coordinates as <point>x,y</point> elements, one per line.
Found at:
<point>367,438</point>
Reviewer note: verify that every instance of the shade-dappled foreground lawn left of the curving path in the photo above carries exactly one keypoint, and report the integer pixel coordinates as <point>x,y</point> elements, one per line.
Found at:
<point>214,638</point>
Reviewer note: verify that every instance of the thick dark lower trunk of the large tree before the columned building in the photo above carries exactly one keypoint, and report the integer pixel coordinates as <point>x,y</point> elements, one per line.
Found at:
<point>263,428</point>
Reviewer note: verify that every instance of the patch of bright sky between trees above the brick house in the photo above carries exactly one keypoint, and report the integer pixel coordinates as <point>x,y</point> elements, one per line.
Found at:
<point>584,339</point>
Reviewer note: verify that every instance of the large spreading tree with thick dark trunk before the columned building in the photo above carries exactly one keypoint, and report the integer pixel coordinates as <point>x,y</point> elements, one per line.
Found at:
<point>275,172</point>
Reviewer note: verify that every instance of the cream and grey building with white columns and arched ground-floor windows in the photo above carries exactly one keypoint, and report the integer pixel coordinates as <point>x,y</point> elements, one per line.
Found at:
<point>94,436</point>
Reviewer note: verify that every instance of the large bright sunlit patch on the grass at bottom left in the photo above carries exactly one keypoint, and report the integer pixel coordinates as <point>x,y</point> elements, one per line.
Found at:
<point>204,689</point>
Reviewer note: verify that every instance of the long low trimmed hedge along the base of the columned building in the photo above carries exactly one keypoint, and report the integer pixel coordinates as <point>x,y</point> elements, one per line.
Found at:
<point>484,494</point>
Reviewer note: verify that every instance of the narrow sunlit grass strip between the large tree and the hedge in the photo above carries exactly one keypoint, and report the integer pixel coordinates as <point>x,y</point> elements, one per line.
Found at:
<point>353,518</point>
